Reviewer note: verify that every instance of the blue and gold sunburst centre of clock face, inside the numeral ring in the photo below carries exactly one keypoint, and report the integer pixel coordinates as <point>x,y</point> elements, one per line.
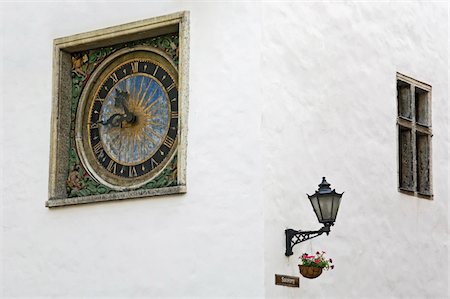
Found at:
<point>135,117</point>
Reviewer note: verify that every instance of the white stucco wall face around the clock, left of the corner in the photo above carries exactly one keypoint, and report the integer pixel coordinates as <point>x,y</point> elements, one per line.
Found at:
<point>205,243</point>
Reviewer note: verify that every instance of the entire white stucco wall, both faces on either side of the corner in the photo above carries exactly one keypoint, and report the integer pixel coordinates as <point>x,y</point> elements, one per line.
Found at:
<point>272,85</point>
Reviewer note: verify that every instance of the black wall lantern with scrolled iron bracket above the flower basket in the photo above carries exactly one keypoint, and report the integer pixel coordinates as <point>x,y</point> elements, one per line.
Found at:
<point>325,203</point>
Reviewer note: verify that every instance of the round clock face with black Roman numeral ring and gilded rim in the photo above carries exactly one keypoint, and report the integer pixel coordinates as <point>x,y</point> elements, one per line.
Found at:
<point>127,119</point>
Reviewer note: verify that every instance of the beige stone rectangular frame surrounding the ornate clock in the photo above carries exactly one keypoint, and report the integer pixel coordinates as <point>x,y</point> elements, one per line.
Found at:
<point>62,95</point>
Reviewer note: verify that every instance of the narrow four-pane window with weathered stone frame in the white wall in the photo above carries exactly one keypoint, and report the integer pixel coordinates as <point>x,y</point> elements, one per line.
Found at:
<point>414,136</point>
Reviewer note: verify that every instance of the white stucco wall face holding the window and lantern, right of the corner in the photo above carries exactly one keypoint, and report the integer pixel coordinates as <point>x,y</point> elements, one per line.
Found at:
<point>330,110</point>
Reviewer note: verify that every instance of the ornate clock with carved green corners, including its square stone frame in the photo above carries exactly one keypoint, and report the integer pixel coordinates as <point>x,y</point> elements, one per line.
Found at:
<point>119,119</point>
